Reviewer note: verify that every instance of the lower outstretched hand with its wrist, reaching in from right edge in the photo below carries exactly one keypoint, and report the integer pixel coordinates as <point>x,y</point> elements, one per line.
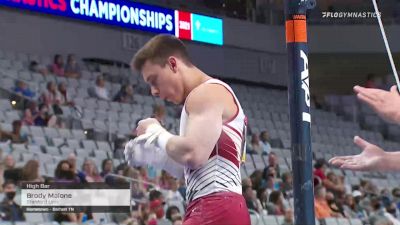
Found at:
<point>371,158</point>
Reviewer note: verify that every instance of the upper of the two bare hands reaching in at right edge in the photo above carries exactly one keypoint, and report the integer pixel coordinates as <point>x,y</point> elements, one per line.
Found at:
<point>385,103</point>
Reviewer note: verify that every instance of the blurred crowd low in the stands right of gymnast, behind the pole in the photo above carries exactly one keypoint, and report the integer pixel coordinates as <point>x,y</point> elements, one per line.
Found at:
<point>270,192</point>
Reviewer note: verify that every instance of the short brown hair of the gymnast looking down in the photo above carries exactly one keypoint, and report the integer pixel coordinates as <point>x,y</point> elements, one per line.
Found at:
<point>158,49</point>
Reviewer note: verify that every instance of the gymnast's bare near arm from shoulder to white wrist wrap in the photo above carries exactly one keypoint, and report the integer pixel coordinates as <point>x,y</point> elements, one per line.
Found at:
<point>207,107</point>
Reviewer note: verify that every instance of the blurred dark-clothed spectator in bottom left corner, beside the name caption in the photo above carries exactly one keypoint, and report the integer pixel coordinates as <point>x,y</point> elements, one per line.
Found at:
<point>10,211</point>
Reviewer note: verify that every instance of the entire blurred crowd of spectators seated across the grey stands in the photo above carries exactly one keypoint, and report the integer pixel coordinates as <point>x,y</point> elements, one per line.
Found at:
<point>159,197</point>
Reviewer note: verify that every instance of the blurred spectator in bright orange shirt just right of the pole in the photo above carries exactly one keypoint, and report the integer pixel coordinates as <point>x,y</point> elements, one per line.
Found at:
<point>322,209</point>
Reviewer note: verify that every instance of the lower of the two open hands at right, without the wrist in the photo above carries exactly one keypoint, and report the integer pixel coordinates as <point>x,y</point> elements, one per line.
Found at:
<point>372,157</point>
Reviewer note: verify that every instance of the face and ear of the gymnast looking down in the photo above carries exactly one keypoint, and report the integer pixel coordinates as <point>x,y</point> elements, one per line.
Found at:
<point>165,81</point>
